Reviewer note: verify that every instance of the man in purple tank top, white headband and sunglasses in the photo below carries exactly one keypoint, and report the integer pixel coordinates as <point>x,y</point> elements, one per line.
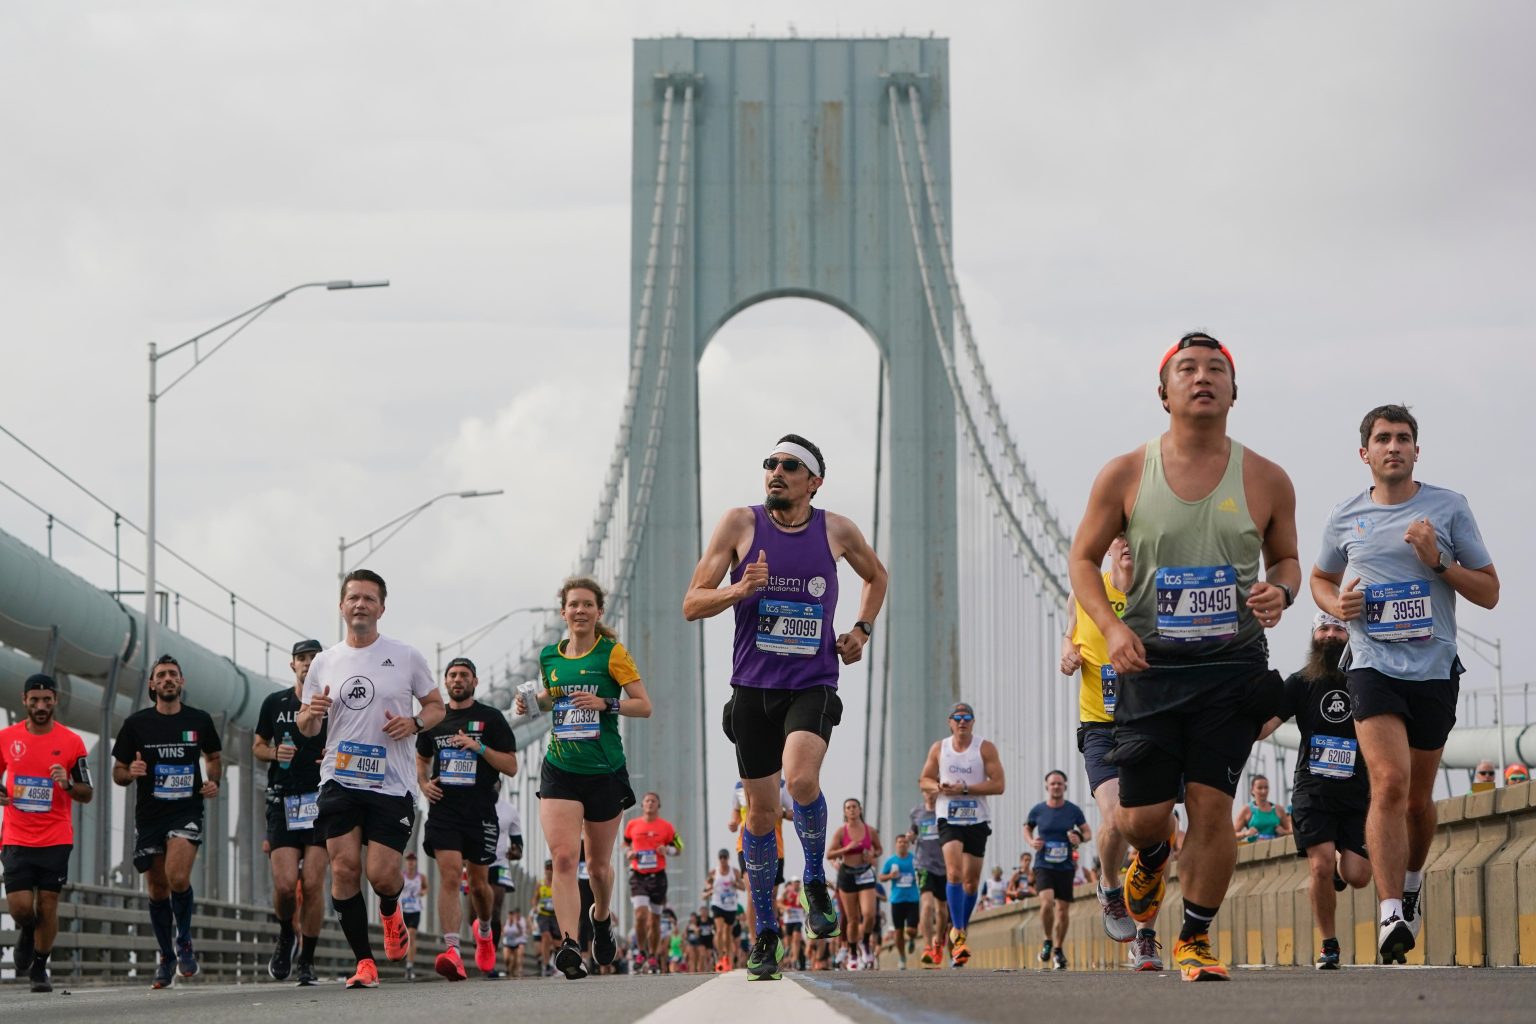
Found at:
<point>783,560</point>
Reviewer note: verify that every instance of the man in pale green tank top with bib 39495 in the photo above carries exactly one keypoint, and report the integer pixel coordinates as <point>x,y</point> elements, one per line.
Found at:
<point>1199,510</point>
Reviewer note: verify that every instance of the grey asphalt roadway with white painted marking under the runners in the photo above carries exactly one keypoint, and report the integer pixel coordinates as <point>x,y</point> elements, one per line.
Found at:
<point>1254,997</point>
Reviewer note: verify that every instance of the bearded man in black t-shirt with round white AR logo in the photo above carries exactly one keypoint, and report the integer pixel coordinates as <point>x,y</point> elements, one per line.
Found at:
<point>1332,790</point>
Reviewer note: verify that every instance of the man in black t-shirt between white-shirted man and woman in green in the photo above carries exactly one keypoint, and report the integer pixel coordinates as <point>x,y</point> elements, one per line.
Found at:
<point>460,764</point>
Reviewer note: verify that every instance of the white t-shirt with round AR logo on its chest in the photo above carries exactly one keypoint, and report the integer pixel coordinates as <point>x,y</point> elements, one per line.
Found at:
<point>365,684</point>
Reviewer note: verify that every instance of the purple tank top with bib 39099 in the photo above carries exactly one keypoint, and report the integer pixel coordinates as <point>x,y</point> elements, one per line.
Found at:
<point>784,635</point>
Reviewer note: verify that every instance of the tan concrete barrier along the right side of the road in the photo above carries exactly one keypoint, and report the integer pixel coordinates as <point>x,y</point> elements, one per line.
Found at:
<point>1480,903</point>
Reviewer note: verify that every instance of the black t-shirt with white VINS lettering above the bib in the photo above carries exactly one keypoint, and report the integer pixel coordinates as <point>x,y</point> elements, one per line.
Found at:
<point>173,747</point>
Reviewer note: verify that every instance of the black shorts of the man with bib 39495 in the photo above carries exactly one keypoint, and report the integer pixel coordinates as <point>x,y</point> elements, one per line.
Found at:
<point>1191,724</point>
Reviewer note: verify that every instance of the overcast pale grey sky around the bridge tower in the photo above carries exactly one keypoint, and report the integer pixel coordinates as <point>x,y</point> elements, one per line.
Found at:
<point>1342,193</point>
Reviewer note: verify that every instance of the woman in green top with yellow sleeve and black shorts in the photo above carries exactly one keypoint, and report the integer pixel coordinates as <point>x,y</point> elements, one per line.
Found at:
<point>589,682</point>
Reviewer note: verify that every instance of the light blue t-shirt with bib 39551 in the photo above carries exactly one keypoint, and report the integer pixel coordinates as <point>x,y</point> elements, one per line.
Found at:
<point>1365,540</point>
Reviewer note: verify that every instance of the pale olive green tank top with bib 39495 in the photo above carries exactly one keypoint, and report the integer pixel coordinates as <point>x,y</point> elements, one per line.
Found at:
<point>1194,566</point>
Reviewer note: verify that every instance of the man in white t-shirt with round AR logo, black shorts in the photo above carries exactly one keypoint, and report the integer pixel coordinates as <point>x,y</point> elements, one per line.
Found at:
<point>362,692</point>
